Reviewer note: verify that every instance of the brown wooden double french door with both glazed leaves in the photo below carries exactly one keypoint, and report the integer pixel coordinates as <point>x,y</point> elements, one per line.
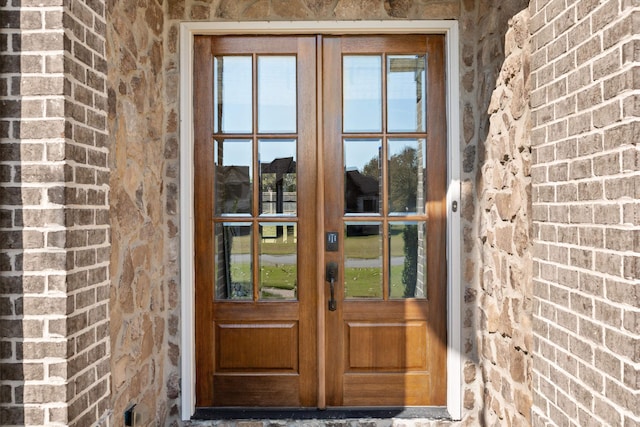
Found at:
<point>320,254</point>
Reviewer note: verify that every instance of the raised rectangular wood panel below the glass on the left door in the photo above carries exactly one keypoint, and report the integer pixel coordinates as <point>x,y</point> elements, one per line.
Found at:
<point>257,347</point>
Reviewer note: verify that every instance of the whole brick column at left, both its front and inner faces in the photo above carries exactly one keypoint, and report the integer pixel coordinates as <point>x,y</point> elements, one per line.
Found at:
<point>54,349</point>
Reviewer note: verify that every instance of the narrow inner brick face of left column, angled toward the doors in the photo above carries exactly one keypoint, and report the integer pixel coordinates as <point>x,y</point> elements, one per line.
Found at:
<point>87,211</point>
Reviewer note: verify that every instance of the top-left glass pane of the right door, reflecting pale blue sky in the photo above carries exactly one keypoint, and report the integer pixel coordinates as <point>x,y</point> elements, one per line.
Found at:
<point>362,93</point>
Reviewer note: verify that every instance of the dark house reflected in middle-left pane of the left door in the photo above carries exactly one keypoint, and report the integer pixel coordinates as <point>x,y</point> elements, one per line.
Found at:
<point>235,185</point>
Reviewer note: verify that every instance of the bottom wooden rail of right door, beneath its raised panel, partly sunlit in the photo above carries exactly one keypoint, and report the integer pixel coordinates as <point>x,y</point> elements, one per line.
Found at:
<point>387,389</point>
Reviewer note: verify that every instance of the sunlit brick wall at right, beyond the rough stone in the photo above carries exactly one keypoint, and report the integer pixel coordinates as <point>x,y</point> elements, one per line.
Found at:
<point>585,136</point>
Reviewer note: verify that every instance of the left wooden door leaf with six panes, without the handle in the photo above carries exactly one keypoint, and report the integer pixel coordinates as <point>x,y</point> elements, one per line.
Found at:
<point>255,178</point>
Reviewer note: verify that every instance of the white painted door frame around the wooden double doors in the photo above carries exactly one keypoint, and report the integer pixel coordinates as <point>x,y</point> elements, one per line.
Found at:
<point>188,30</point>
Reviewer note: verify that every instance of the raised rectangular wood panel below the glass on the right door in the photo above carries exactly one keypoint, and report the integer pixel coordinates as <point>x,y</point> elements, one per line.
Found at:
<point>386,346</point>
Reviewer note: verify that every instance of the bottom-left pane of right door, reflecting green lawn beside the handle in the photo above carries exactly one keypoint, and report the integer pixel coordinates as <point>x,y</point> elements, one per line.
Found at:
<point>363,260</point>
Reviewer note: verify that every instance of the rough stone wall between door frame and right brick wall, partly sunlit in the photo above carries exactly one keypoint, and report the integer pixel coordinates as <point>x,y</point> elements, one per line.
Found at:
<point>496,212</point>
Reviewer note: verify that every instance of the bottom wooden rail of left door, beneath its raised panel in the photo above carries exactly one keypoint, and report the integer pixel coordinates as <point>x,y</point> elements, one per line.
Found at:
<point>257,390</point>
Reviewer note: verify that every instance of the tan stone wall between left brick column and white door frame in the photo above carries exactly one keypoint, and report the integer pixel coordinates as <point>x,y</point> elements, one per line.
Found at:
<point>144,152</point>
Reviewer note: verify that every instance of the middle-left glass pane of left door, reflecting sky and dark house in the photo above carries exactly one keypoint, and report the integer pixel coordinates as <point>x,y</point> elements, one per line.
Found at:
<point>232,160</point>
